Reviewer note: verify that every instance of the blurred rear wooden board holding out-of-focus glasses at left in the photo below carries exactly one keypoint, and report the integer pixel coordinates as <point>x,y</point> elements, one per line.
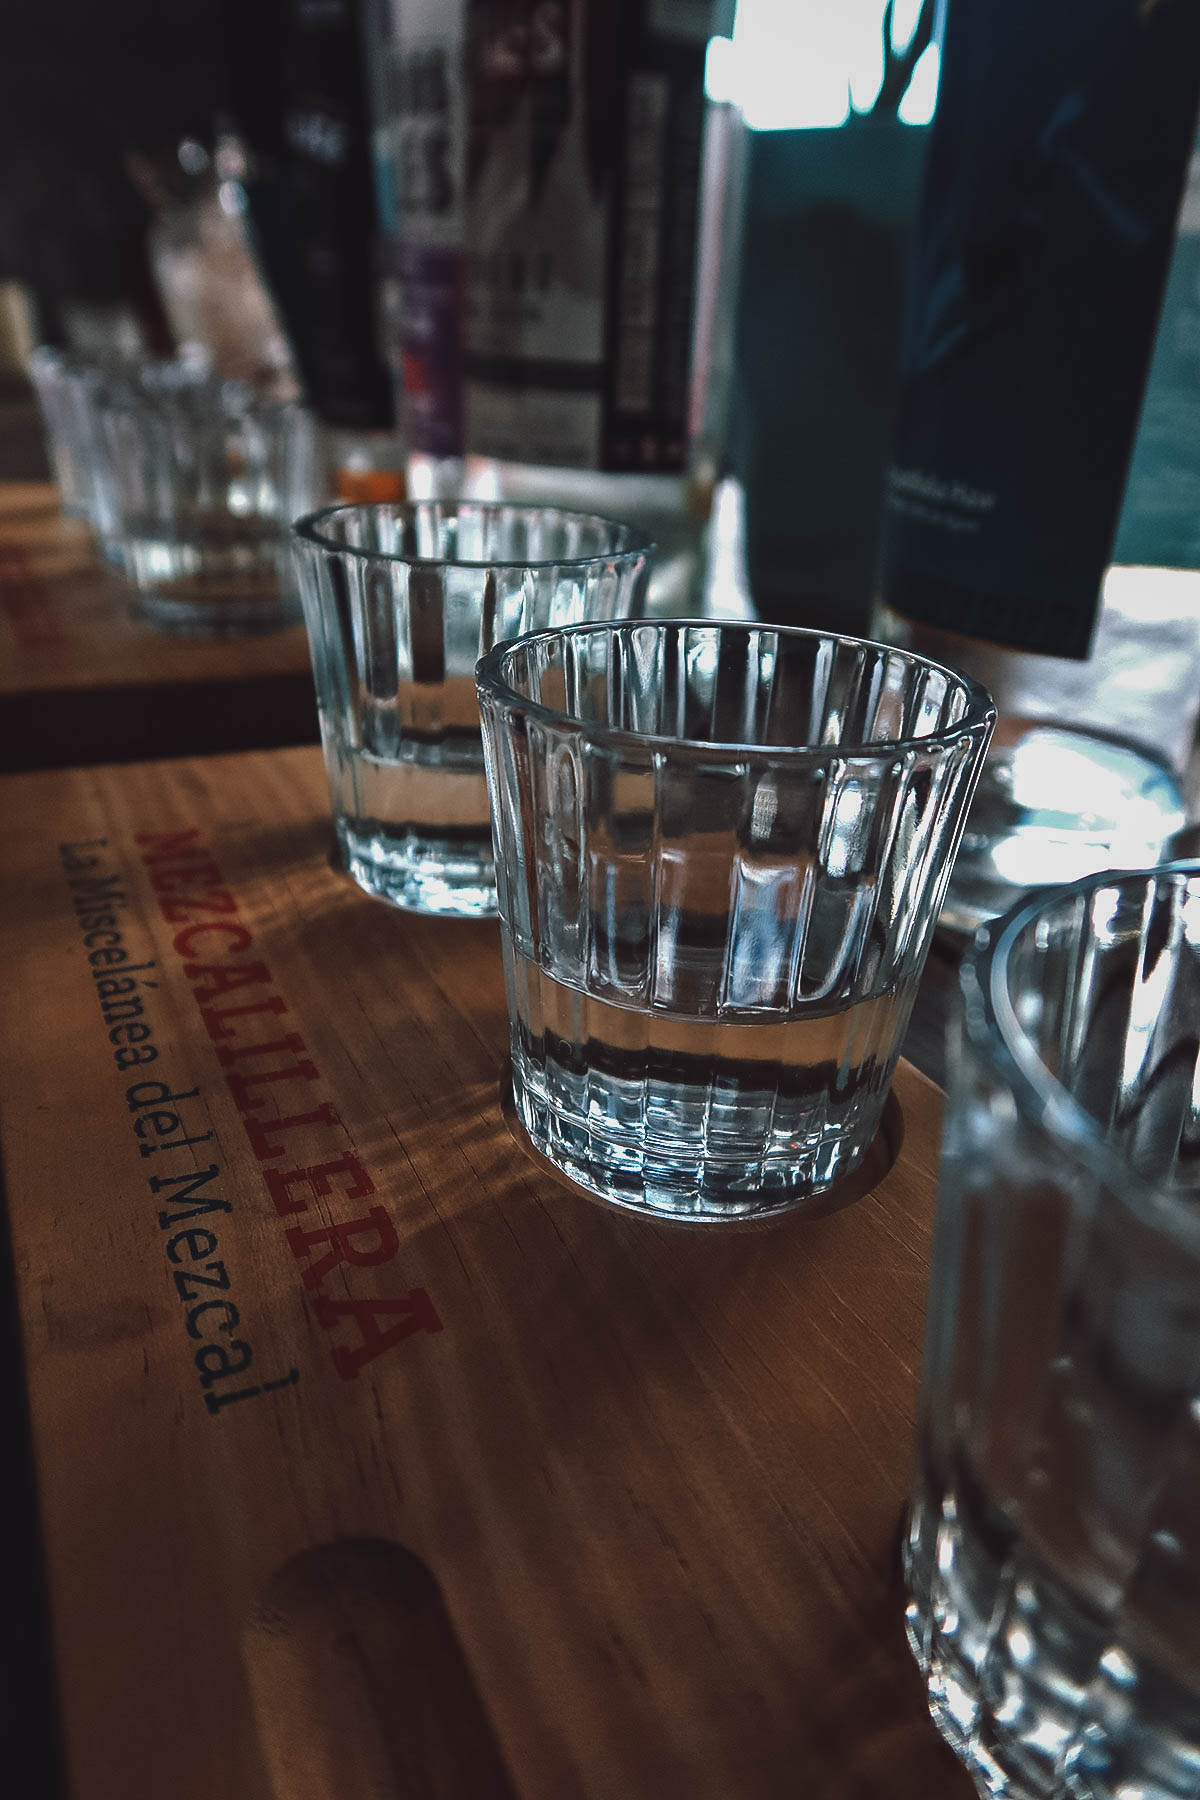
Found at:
<point>82,679</point>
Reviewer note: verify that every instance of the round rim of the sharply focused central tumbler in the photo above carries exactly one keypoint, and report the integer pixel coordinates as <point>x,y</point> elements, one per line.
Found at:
<point>980,712</point>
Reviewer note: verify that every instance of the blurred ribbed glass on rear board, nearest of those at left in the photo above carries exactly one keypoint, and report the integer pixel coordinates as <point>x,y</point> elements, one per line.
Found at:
<point>197,485</point>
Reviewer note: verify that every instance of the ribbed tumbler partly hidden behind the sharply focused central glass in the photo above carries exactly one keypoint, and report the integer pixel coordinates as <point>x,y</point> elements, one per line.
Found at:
<point>400,604</point>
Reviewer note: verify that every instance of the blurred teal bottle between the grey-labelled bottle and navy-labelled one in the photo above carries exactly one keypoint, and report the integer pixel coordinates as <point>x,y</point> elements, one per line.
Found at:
<point>837,103</point>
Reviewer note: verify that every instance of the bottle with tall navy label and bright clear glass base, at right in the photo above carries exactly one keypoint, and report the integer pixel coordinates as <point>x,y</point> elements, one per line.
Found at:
<point>1044,238</point>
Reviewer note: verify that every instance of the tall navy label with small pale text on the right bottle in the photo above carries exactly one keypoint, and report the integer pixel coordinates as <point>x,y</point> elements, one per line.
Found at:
<point>1053,183</point>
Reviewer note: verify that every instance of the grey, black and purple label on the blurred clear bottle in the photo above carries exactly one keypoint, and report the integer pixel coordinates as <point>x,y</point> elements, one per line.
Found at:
<point>575,224</point>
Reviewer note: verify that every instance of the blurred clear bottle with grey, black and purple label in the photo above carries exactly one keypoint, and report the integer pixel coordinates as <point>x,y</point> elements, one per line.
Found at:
<point>560,202</point>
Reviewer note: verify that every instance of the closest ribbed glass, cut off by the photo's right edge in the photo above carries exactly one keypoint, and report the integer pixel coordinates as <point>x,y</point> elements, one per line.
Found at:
<point>1053,1554</point>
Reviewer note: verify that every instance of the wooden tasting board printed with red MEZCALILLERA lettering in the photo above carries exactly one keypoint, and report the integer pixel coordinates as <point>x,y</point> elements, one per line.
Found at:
<point>372,1461</point>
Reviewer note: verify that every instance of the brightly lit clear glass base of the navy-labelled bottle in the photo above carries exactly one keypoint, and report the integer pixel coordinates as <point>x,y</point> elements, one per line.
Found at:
<point>1055,807</point>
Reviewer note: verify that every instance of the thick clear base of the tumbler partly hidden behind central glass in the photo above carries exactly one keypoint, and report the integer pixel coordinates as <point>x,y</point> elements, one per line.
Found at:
<point>420,874</point>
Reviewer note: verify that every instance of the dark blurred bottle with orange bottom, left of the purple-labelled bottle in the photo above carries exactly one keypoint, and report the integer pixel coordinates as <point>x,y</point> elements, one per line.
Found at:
<point>300,94</point>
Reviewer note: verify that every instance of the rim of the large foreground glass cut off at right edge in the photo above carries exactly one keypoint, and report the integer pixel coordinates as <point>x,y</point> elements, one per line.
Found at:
<point>1005,1047</point>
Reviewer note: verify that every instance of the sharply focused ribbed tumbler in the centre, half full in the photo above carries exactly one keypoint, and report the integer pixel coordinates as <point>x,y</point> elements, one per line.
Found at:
<point>721,859</point>
